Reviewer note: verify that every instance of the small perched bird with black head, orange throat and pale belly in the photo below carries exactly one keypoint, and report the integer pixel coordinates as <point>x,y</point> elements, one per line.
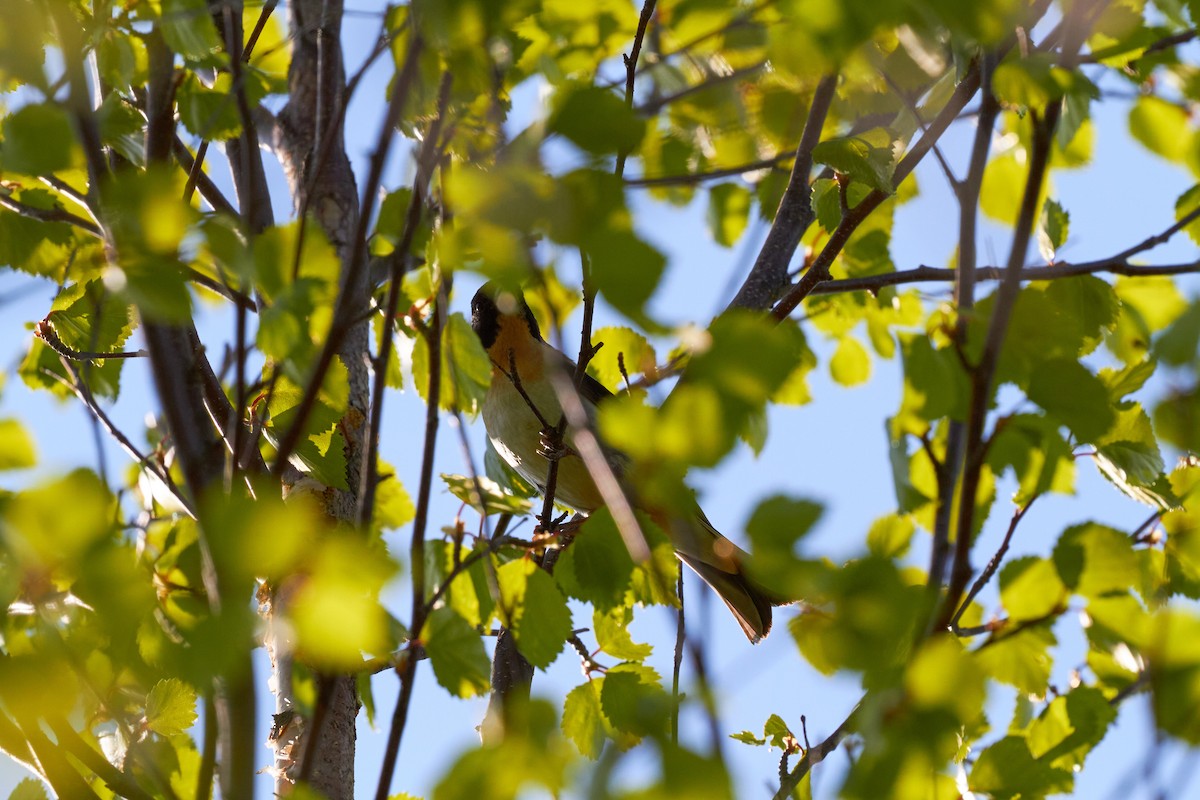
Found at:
<point>523,366</point>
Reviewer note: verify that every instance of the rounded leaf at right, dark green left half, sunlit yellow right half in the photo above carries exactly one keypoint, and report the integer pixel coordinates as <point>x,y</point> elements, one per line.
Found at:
<point>1095,561</point>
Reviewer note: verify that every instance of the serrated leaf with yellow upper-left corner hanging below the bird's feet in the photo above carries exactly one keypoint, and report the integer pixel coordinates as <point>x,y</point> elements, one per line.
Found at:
<point>535,610</point>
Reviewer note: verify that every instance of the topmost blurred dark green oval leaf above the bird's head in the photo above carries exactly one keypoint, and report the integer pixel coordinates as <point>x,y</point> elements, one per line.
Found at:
<point>597,121</point>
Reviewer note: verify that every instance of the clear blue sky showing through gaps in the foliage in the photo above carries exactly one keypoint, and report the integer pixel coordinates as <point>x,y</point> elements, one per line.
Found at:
<point>833,450</point>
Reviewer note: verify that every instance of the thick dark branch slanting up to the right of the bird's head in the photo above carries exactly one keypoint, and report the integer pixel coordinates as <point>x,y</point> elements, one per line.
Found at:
<point>794,215</point>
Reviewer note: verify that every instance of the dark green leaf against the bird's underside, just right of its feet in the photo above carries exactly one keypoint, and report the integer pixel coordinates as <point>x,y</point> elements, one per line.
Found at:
<point>597,568</point>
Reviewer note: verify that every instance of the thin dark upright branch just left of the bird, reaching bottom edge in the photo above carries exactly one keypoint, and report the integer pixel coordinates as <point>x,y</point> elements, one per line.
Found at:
<point>417,551</point>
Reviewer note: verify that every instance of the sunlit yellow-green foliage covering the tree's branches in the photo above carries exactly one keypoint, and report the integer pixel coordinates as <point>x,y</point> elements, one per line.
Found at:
<point>112,633</point>
